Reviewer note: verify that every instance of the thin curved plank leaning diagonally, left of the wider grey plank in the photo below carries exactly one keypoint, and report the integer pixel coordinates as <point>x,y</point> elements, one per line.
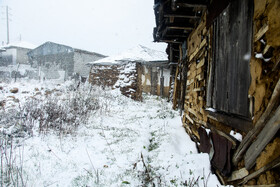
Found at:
<point>247,140</point>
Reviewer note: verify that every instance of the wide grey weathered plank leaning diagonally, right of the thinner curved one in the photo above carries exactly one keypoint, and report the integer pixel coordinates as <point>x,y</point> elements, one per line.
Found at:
<point>266,135</point>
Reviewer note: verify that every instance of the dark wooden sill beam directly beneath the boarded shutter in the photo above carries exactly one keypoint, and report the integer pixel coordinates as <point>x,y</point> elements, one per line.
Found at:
<point>234,122</point>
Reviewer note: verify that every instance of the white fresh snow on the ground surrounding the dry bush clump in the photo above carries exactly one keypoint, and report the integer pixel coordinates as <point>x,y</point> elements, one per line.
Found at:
<point>118,143</point>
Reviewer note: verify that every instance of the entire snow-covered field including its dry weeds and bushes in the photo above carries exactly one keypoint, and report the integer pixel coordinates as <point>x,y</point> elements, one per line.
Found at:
<point>104,139</point>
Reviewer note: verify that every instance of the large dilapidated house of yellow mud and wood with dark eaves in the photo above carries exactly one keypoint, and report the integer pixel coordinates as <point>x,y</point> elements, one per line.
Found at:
<point>224,58</point>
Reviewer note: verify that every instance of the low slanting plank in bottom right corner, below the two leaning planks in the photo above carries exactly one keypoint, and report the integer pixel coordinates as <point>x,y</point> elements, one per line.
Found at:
<point>274,164</point>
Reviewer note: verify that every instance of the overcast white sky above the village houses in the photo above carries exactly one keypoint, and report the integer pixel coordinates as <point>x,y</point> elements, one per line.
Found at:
<point>104,26</point>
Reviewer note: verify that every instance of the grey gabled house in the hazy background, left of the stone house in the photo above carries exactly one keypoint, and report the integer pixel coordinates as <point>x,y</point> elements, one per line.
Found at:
<point>56,61</point>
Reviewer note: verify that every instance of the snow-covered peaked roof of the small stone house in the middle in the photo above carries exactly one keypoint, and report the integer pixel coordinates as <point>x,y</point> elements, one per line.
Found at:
<point>137,54</point>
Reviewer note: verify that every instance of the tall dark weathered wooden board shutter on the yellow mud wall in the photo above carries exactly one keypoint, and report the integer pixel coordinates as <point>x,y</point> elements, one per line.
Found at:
<point>232,72</point>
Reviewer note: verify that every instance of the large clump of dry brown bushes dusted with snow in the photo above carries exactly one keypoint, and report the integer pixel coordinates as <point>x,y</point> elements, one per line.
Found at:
<point>64,114</point>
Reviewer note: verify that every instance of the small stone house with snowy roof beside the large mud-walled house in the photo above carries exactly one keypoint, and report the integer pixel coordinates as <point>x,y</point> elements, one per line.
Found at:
<point>134,71</point>
